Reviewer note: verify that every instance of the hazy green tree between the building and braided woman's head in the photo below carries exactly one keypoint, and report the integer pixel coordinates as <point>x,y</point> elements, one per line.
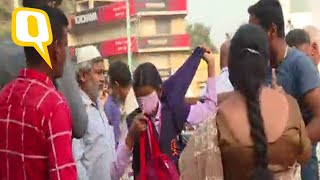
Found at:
<point>200,35</point>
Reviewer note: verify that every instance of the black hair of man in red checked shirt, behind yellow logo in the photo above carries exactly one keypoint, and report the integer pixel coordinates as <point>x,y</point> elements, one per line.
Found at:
<point>58,21</point>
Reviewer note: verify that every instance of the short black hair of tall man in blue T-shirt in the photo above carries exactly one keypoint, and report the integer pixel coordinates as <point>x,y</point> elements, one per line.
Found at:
<point>269,12</point>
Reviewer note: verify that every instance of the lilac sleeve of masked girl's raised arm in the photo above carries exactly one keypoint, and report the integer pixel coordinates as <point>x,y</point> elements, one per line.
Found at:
<point>201,111</point>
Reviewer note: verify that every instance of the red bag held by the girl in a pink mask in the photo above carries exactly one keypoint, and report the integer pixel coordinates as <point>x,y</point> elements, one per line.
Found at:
<point>157,166</point>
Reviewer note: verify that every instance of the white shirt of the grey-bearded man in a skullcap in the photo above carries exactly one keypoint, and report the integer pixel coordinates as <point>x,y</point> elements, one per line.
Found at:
<point>96,151</point>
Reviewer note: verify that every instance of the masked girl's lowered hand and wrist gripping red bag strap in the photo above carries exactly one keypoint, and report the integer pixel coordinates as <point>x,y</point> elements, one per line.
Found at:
<point>138,125</point>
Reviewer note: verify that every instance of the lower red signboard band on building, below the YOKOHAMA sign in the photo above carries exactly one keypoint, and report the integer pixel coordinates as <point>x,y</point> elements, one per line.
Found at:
<point>119,46</point>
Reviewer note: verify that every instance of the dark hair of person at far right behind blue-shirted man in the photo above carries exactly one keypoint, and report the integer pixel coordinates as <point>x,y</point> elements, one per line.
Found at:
<point>297,37</point>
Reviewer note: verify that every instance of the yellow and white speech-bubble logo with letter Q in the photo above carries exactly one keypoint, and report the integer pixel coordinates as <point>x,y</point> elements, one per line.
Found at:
<point>31,28</point>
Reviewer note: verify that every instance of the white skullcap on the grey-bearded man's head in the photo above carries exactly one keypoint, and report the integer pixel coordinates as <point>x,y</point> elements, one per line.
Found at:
<point>87,53</point>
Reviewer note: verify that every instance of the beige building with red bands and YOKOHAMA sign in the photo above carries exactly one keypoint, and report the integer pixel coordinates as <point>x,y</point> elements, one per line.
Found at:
<point>158,32</point>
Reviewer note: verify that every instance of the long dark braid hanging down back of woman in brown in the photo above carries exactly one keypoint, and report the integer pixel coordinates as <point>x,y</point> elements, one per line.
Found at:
<point>249,85</point>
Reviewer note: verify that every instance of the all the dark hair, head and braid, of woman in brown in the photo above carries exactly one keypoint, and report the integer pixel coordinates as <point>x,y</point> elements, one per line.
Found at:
<point>248,66</point>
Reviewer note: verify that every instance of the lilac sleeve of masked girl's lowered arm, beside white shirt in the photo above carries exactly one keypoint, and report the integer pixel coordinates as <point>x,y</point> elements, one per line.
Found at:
<point>122,161</point>
